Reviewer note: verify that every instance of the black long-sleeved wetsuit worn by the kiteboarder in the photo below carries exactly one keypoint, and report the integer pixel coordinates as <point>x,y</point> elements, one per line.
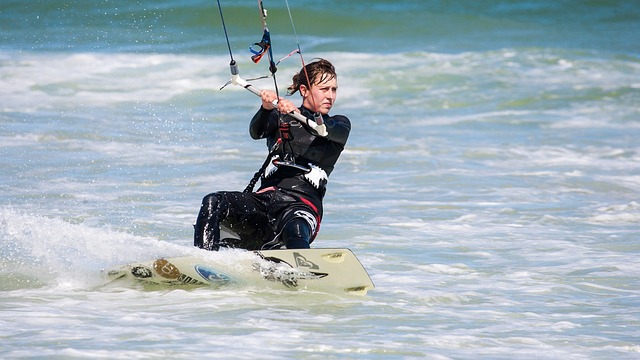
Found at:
<point>286,210</point>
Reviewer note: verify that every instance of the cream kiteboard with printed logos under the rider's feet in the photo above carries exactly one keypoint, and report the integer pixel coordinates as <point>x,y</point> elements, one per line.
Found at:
<point>330,270</point>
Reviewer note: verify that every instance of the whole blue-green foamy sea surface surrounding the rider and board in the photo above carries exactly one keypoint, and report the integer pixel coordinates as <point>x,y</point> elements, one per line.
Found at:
<point>490,186</point>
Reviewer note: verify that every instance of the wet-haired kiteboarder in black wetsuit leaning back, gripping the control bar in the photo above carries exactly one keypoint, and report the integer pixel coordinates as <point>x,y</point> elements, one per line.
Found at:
<point>286,210</point>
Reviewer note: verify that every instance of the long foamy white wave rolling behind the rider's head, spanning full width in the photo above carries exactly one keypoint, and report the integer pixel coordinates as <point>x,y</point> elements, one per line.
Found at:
<point>485,85</point>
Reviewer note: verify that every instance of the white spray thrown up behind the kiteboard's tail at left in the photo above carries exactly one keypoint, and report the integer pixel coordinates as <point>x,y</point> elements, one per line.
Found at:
<point>61,253</point>
